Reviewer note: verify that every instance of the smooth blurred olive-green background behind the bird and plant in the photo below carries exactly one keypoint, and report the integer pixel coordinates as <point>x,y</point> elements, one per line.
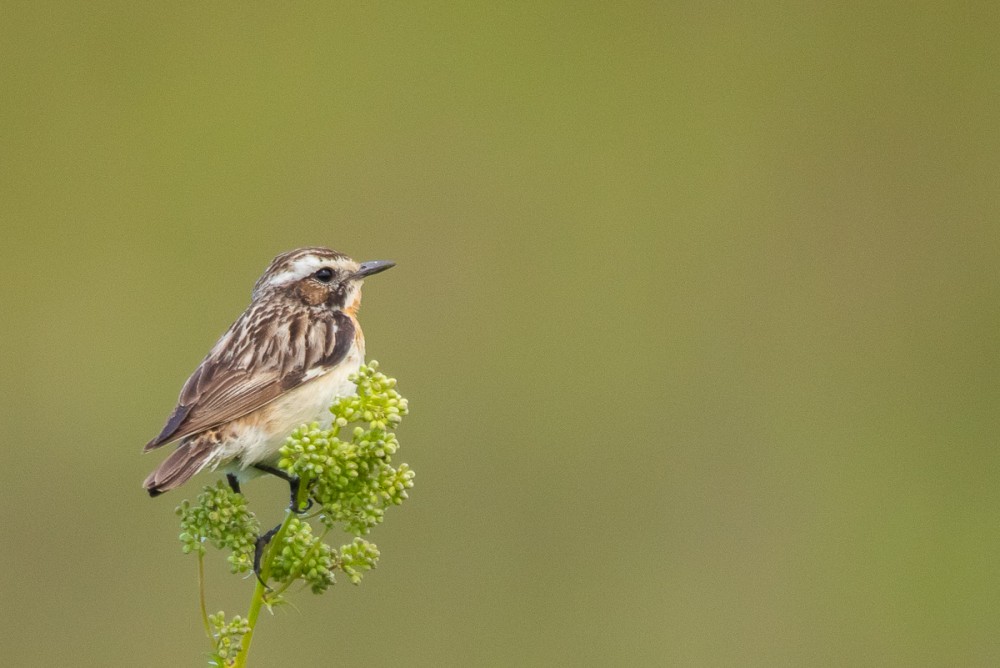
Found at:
<point>695,305</point>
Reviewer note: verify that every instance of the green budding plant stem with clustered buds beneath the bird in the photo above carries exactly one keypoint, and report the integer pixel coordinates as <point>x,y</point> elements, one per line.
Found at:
<point>351,479</point>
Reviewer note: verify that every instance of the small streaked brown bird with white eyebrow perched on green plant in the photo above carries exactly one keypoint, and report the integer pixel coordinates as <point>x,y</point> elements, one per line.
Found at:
<point>280,365</point>
